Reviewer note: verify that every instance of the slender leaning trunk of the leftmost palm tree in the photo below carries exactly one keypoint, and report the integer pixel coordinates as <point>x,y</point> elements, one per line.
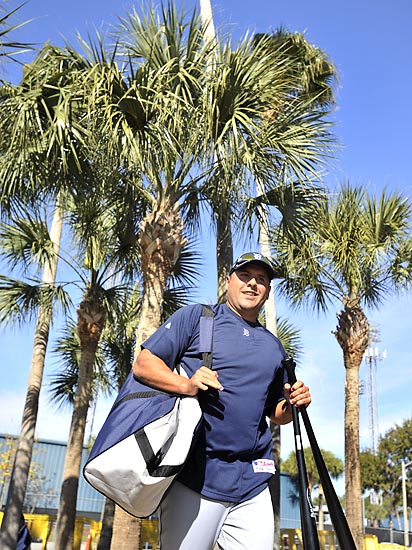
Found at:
<point>21,467</point>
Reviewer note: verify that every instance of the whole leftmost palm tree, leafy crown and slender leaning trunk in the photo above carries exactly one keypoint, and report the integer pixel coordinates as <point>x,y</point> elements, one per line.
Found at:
<point>42,157</point>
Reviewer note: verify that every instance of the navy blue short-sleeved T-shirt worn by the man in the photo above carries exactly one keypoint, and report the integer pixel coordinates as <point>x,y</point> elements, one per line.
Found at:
<point>231,458</point>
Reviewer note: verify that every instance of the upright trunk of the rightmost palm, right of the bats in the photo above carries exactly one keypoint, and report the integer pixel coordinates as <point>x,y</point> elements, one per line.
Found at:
<point>352,333</point>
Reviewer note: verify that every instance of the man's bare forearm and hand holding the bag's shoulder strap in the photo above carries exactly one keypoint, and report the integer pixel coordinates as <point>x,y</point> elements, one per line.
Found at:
<point>153,371</point>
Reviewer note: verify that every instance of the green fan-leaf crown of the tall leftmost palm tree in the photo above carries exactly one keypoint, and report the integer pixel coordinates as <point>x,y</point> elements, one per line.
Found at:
<point>41,134</point>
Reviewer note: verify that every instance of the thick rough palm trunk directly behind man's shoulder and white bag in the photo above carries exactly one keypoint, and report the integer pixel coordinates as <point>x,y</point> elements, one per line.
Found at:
<point>160,243</point>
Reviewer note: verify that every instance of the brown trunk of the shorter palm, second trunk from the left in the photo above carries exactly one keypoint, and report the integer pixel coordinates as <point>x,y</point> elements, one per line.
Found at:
<point>91,321</point>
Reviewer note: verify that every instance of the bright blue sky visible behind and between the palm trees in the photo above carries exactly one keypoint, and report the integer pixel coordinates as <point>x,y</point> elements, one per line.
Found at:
<point>371,48</point>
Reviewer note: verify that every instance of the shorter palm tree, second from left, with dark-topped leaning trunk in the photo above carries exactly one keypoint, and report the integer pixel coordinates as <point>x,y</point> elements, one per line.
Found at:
<point>98,250</point>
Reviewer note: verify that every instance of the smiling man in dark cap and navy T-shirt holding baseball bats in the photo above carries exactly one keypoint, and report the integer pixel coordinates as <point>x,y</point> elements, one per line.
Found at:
<point>222,494</point>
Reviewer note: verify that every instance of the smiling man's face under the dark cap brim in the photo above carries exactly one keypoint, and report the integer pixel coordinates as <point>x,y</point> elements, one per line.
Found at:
<point>247,290</point>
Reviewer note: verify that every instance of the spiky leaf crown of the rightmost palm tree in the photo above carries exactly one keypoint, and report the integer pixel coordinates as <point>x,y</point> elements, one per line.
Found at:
<point>357,251</point>
